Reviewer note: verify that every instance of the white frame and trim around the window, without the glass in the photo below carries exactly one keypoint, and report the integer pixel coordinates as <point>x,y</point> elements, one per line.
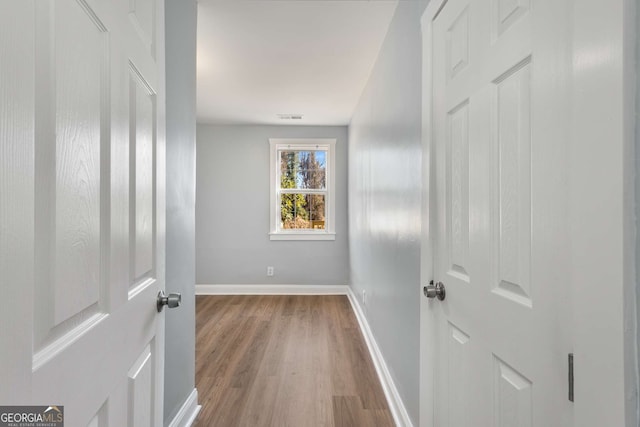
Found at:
<point>277,233</point>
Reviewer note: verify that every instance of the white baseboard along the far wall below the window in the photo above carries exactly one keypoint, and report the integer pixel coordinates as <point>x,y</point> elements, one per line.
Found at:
<point>272,289</point>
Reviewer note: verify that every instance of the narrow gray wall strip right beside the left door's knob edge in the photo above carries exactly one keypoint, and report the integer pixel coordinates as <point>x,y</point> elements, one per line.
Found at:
<point>181,133</point>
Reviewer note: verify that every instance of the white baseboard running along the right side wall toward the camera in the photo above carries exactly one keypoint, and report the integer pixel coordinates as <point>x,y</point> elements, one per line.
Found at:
<point>398,410</point>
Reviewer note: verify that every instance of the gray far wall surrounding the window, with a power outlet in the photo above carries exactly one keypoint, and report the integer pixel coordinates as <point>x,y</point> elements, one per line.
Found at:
<point>232,211</point>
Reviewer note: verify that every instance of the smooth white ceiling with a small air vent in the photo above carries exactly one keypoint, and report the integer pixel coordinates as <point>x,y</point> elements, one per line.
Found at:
<point>261,58</point>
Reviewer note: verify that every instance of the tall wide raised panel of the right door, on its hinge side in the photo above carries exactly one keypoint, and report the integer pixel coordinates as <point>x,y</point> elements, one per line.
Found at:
<point>512,136</point>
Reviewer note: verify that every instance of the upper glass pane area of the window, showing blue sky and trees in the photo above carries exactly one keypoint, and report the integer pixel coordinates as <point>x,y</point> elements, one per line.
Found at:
<point>303,169</point>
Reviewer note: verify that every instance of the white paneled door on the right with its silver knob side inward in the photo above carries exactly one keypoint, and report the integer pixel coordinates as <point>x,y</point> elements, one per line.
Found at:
<point>498,123</point>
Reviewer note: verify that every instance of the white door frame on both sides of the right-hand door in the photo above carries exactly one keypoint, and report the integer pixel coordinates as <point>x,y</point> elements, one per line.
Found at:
<point>603,251</point>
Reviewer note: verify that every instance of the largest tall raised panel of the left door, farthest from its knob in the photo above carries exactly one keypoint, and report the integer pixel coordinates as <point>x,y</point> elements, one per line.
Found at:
<point>71,207</point>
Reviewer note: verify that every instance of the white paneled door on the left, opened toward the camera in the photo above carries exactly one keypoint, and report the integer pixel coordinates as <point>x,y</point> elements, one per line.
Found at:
<point>82,208</point>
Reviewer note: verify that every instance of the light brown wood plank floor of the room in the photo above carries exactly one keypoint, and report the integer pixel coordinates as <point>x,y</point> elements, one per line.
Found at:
<point>284,361</point>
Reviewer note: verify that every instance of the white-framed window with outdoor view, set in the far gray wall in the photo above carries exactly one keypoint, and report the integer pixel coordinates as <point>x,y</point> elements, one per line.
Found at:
<point>302,189</point>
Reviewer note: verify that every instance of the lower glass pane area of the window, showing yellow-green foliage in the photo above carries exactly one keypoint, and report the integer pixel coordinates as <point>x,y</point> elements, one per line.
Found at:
<point>302,211</point>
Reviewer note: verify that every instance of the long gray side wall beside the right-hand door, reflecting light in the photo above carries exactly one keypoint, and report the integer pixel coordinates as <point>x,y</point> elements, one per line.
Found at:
<point>385,200</point>
